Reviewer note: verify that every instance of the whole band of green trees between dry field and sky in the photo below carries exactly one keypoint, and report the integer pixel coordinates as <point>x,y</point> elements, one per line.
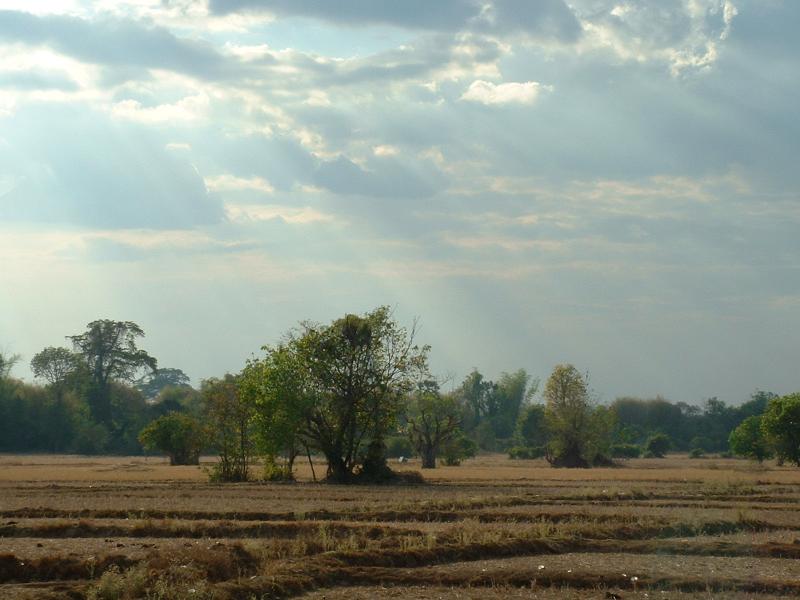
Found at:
<point>356,392</point>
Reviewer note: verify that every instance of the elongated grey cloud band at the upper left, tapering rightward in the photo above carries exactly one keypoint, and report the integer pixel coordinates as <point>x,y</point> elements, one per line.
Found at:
<point>116,43</point>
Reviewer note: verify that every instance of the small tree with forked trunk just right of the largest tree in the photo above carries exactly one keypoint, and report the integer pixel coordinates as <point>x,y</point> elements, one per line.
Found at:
<point>431,420</point>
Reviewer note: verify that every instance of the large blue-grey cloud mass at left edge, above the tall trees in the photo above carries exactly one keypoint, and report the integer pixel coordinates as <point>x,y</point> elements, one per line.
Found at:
<point>76,167</point>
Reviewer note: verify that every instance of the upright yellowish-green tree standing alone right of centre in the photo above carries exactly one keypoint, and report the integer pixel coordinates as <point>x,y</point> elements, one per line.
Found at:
<point>580,434</point>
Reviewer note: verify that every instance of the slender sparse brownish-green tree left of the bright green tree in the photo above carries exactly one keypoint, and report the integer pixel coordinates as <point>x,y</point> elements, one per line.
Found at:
<point>229,420</point>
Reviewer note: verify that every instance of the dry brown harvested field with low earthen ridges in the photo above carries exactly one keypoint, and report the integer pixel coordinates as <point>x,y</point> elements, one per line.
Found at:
<point>76,527</point>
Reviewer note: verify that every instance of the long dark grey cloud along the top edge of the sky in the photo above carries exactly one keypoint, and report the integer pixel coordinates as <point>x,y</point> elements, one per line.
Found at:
<point>549,18</point>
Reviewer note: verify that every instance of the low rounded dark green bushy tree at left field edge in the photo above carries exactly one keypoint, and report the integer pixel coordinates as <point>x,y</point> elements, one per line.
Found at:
<point>177,435</point>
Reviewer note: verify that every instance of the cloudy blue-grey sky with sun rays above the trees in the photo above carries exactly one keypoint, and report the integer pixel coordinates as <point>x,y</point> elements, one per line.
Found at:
<point>608,183</point>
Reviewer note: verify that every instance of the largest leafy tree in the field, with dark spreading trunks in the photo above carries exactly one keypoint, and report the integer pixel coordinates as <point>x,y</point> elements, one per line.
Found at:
<point>356,371</point>
